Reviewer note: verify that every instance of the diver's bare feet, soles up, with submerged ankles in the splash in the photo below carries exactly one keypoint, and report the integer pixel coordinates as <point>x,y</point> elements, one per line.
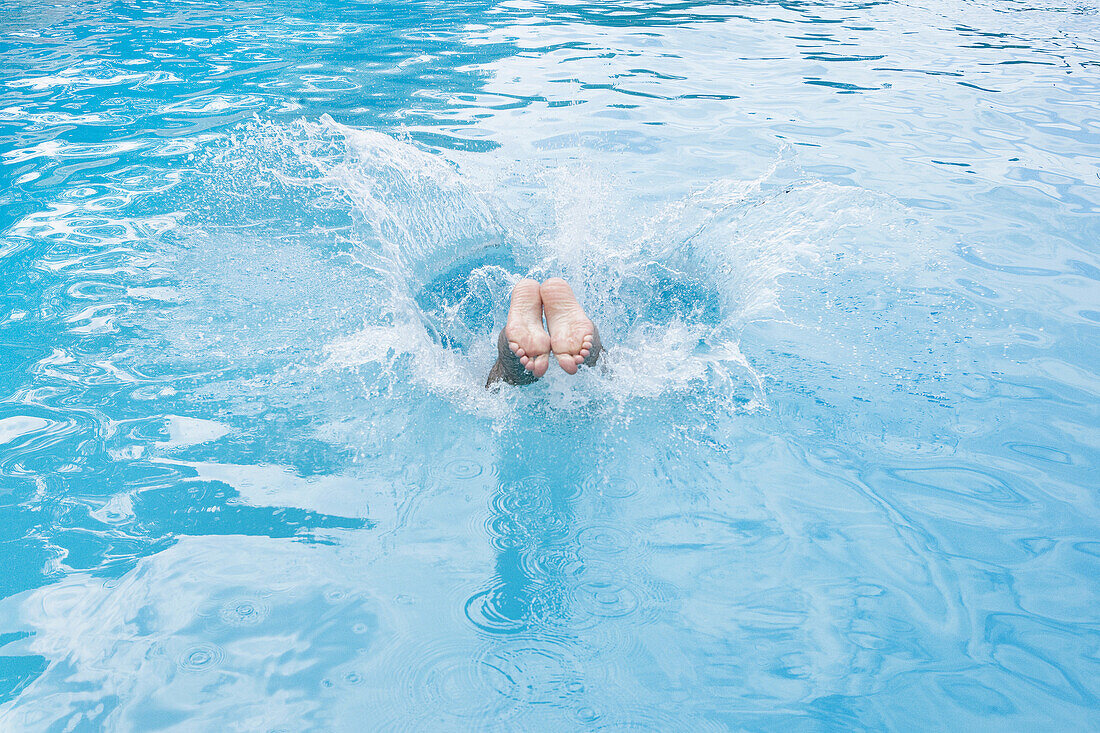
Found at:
<point>525,346</point>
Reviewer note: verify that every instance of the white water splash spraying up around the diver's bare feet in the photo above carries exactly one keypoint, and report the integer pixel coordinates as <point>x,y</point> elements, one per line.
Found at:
<point>735,245</point>
